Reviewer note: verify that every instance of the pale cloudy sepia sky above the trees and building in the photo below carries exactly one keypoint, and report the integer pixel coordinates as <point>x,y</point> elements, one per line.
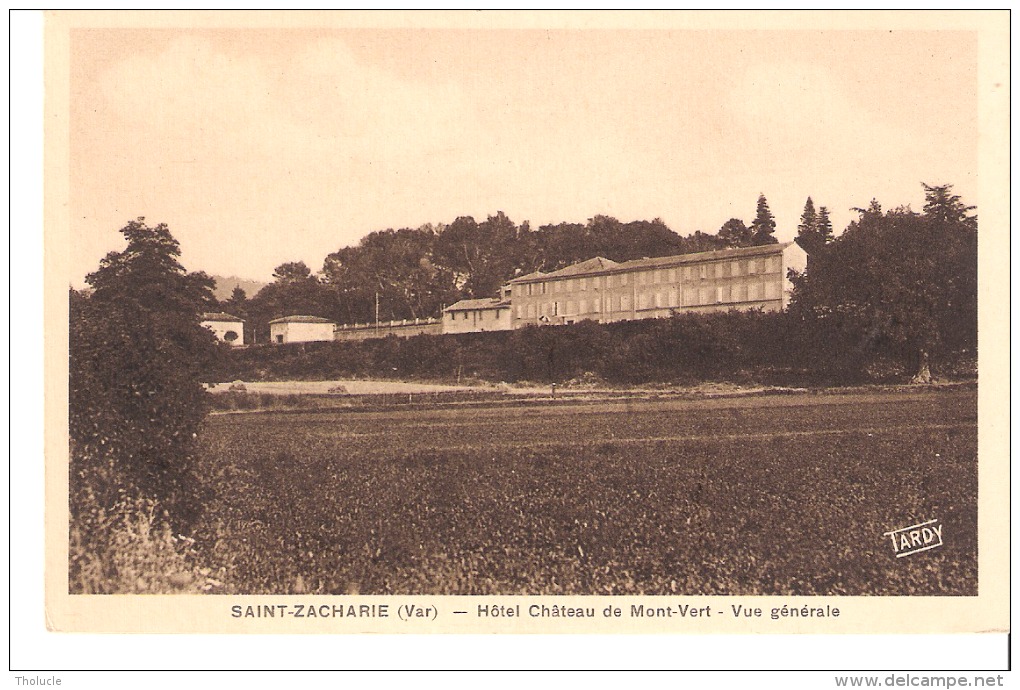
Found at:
<point>264,146</point>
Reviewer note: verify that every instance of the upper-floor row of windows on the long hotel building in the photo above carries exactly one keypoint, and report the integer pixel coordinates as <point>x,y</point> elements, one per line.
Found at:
<point>731,269</point>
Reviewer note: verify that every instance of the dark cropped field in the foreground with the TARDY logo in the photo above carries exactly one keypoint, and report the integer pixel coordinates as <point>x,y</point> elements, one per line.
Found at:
<point>787,495</point>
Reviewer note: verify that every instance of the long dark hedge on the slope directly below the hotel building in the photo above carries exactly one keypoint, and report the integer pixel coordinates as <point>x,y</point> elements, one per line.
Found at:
<point>687,349</point>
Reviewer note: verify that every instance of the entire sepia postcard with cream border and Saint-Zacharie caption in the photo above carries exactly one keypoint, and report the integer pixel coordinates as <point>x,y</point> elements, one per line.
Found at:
<point>527,323</point>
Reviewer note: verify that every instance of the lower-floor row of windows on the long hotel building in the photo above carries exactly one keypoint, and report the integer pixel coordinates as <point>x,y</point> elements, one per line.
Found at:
<point>653,301</point>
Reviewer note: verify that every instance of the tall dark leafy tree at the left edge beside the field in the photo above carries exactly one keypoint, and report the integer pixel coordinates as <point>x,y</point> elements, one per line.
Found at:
<point>135,397</point>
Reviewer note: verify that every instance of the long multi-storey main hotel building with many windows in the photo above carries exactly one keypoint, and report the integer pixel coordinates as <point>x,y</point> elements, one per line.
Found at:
<point>605,291</point>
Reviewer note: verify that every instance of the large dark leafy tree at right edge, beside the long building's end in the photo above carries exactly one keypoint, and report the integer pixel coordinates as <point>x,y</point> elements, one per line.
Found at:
<point>899,284</point>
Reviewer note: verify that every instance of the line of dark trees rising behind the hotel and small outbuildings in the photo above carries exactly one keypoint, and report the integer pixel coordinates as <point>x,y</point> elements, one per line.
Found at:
<point>416,273</point>
